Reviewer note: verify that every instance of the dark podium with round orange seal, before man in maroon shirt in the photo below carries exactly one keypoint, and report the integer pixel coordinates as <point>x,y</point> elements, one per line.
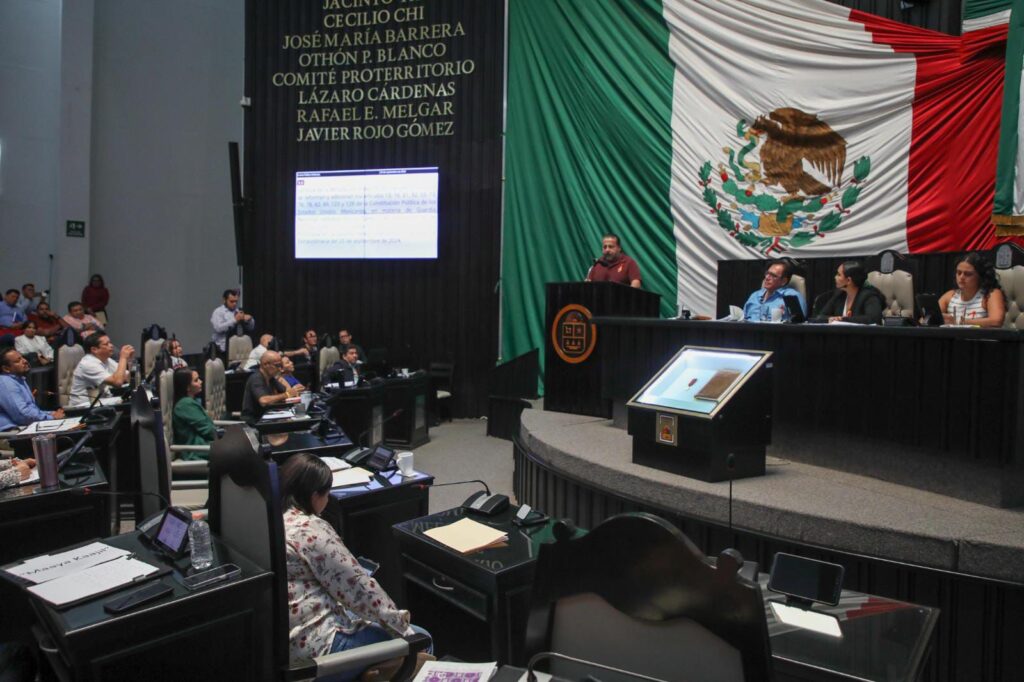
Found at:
<point>572,361</point>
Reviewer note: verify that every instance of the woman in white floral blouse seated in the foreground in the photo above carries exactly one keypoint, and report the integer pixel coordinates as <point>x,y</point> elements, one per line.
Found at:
<point>333,605</point>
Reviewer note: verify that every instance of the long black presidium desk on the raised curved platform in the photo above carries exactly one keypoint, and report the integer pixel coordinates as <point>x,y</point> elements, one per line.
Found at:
<point>935,409</point>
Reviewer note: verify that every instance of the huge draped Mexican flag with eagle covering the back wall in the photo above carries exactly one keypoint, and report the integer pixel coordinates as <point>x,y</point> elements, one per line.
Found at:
<point>701,131</point>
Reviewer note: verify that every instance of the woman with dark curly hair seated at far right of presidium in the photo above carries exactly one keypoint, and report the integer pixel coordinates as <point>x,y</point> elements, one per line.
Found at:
<point>978,299</point>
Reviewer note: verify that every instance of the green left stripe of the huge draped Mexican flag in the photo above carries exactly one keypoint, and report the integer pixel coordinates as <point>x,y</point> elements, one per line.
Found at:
<point>588,151</point>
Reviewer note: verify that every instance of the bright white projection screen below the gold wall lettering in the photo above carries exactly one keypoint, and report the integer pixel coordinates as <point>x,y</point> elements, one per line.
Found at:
<point>355,215</point>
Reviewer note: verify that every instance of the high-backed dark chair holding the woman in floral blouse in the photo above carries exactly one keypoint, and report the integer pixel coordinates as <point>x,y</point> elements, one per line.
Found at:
<point>245,513</point>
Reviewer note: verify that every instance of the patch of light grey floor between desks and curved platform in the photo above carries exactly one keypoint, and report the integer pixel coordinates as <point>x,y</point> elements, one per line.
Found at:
<point>459,451</point>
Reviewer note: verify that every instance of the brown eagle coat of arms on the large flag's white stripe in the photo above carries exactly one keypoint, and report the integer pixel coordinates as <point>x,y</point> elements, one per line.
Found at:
<point>783,186</point>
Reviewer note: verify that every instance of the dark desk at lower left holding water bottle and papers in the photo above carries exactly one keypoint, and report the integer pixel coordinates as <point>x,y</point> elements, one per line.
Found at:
<point>220,633</point>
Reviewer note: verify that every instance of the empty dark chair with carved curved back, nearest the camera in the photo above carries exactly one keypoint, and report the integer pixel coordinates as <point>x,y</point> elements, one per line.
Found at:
<point>637,595</point>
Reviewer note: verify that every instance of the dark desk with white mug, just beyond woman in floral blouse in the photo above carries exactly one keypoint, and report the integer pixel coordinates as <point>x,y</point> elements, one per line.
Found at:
<point>363,516</point>
